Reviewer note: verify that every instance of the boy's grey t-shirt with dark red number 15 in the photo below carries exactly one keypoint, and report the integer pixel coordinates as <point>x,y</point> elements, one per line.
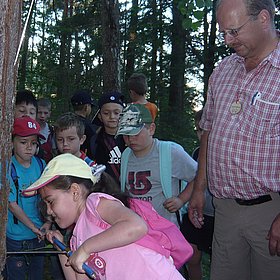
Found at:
<point>143,176</point>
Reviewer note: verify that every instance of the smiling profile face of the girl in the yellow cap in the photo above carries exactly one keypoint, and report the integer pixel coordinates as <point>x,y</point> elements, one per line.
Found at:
<point>60,205</point>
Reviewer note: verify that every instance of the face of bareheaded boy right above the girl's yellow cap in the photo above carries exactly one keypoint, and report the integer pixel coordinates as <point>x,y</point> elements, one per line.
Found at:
<point>68,141</point>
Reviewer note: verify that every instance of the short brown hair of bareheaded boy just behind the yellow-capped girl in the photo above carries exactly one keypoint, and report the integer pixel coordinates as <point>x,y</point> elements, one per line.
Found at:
<point>68,120</point>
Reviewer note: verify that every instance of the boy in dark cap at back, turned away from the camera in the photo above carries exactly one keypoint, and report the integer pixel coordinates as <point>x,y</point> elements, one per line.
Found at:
<point>82,104</point>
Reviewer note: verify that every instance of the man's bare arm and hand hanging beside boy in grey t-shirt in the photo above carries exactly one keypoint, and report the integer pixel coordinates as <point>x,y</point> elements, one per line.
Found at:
<point>195,207</point>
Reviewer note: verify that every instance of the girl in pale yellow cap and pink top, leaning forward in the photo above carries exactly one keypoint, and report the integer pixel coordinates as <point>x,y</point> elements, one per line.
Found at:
<point>105,232</point>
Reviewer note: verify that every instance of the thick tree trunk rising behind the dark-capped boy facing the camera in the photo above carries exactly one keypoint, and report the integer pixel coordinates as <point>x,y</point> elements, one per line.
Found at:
<point>111,45</point>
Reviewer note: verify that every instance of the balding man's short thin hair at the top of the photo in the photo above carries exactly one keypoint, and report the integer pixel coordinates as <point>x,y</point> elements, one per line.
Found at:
<point>254,7</point>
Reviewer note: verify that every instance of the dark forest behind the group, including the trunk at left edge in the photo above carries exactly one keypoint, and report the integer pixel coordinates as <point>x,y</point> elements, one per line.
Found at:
<point>97,45</point>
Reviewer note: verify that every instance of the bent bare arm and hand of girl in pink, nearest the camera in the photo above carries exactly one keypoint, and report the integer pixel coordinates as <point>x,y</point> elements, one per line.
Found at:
<point>126,228</point>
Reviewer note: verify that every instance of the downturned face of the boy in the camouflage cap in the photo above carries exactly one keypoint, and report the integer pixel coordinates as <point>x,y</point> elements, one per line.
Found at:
<point>140,144</point>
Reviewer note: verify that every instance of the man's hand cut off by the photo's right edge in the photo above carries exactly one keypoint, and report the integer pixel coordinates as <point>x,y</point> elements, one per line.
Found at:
<point>274,237</point>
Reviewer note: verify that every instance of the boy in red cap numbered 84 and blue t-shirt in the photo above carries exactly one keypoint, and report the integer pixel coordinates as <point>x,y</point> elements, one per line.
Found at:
<point>25,228</point>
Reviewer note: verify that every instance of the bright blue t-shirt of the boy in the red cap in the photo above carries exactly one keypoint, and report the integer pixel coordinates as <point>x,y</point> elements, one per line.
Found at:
<point>26,176</point>
